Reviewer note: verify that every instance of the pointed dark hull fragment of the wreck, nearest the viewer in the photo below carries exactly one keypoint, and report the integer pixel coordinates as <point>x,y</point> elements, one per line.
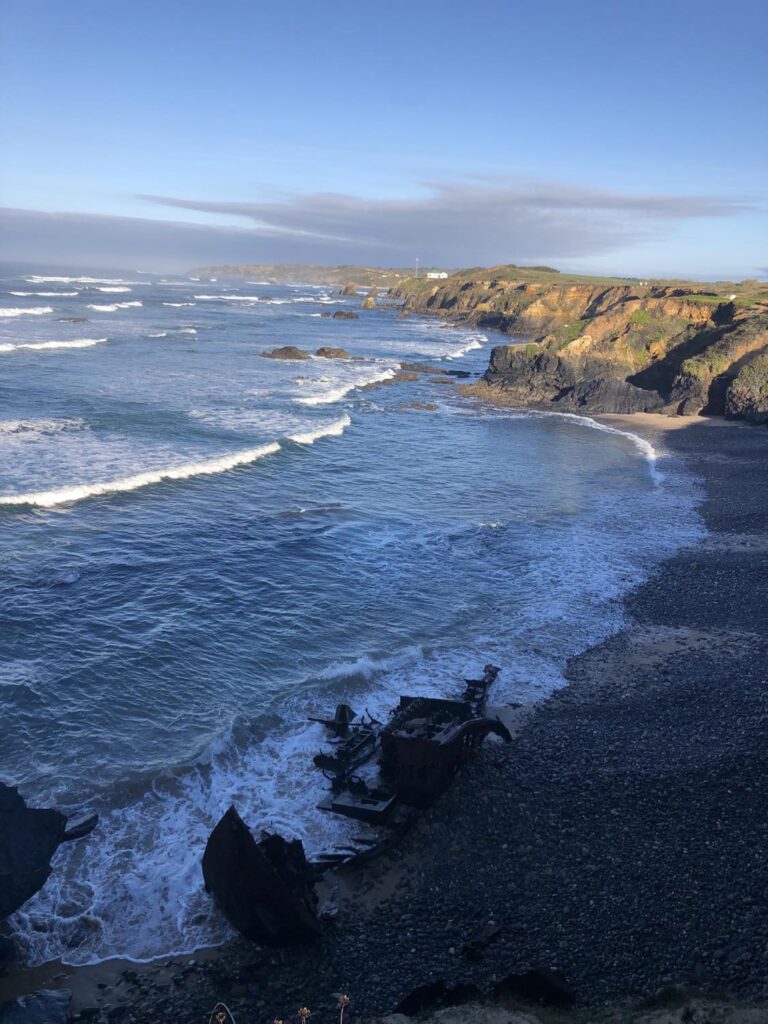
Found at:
<point>266,889</point>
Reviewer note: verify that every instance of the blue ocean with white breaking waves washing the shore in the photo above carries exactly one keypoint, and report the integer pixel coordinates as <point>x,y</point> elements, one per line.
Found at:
<point>202,548</point>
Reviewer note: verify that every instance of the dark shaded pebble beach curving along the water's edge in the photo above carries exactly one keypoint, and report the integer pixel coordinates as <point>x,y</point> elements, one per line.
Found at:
<point>622,838</point>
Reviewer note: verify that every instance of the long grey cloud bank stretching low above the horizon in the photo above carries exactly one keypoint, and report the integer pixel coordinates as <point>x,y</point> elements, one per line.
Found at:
<point>474,223</point>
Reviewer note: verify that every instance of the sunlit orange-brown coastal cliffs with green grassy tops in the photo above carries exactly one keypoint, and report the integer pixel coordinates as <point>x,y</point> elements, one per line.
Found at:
<point>606,346</point>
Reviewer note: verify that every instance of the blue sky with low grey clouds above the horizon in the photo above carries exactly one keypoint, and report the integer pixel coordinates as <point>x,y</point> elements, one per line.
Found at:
<point>620,138</point>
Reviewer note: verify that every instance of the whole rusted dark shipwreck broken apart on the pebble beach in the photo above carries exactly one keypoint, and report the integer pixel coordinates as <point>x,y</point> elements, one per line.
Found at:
<point>382,775</point>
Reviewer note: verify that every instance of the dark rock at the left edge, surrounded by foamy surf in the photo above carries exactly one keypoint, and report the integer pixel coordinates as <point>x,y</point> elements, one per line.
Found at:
<point>29,838</point>
